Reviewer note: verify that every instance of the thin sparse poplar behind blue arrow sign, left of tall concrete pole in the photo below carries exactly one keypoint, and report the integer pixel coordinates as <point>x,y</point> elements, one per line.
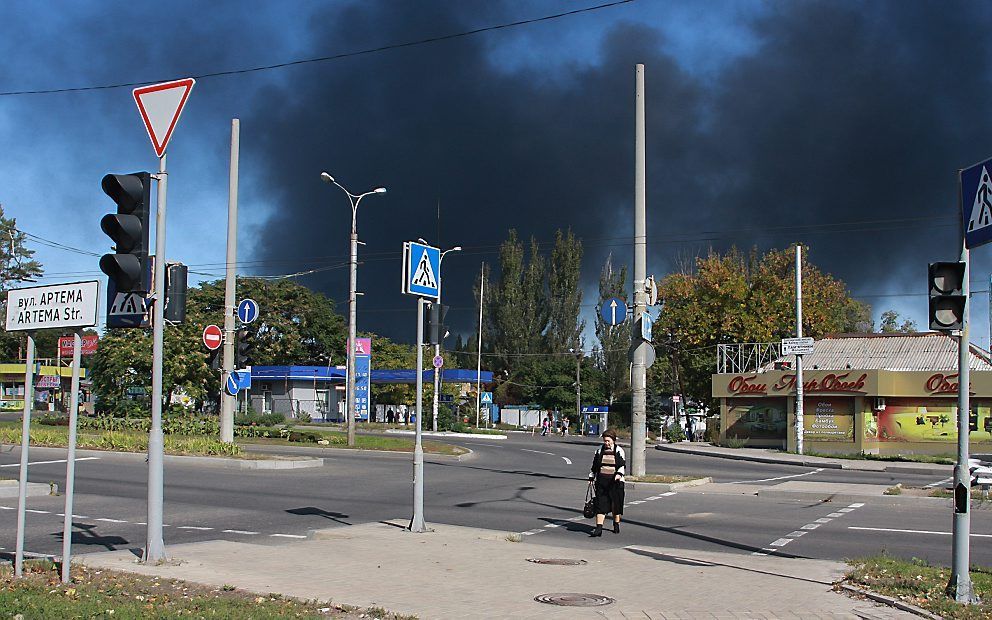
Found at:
<point>614,340</point>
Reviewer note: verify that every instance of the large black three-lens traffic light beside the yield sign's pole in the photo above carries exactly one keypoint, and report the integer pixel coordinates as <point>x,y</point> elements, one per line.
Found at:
<point>128,267</point>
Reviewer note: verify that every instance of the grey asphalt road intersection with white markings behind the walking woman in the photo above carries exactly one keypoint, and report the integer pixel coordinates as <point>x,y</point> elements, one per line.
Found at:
<point>525,484</point>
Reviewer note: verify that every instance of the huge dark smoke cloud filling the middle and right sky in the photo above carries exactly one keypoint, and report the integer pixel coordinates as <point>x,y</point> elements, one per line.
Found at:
<point>841,113</point>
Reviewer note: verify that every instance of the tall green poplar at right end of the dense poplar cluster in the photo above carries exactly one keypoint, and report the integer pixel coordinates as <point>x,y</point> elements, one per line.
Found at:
<point>564,295</point>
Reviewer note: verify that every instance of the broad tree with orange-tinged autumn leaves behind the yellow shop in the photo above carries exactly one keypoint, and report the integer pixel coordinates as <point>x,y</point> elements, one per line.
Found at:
<point>733,298</point>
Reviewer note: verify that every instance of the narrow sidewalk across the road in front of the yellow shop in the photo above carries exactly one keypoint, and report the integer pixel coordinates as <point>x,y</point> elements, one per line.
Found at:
<point>784,458</point>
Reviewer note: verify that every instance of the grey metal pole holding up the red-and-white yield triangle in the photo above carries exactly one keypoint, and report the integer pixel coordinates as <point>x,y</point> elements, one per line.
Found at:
<point>154,544</point>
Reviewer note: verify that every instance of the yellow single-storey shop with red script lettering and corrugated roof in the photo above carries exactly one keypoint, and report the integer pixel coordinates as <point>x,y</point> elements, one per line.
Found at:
<point>884,394</point>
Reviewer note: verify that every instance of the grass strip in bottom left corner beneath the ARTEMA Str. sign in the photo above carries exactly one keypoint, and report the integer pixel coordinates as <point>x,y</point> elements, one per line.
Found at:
<point>110,594</point>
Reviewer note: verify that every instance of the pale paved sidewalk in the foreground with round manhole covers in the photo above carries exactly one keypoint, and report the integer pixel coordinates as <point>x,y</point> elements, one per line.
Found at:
<point>460,572</point>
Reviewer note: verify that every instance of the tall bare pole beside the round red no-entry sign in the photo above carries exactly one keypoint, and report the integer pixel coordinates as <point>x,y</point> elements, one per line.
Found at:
<point>227,402</point>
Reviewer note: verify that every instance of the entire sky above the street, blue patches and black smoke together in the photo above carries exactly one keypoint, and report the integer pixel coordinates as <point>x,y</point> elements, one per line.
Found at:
<point>768,123</point>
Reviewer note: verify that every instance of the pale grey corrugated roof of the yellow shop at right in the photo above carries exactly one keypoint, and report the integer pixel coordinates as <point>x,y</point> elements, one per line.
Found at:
<point>907,352</point>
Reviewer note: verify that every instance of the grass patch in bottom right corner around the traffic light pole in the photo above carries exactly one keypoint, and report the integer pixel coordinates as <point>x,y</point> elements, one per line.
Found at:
<point>921,584</point>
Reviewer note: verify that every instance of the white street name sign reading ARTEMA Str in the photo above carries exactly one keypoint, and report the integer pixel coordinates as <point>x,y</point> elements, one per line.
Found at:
<point>57,305</point>
